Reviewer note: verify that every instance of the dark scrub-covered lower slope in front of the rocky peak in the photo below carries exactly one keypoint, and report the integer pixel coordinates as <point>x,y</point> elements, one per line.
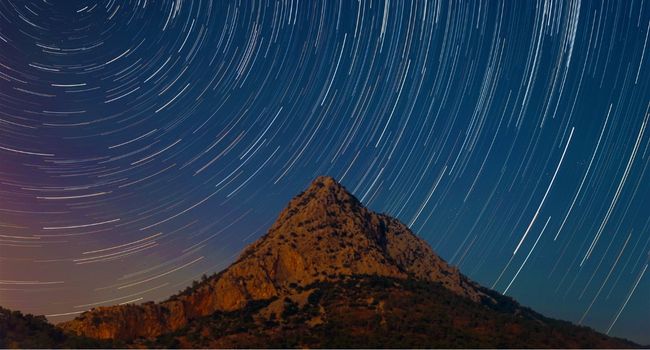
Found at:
<point>378,312</point>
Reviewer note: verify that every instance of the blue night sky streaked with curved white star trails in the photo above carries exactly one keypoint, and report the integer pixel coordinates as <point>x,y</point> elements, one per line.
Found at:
<point>144,143</point>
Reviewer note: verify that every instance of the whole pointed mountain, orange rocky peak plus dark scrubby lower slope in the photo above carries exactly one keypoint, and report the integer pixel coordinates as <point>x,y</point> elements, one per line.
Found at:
<point>331,273</point>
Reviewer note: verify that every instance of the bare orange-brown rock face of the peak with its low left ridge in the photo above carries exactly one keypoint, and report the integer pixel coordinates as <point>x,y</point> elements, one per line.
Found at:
<point>323,234</point>
